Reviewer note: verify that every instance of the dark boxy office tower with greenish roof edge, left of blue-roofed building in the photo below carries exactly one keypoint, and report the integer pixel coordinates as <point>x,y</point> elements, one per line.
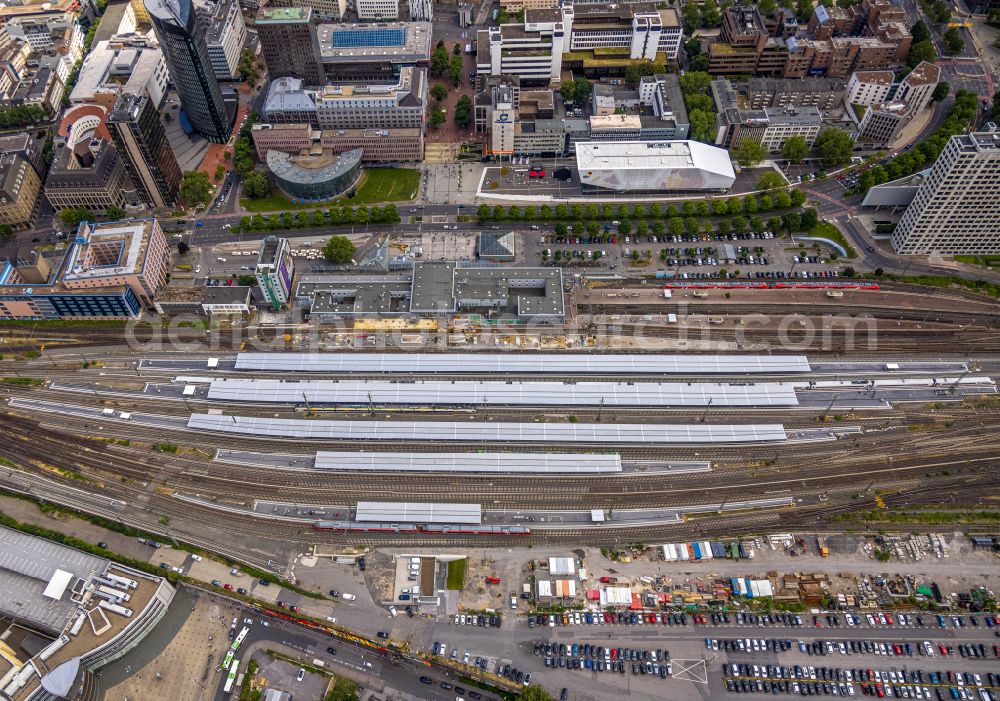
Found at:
<point>290,45</point>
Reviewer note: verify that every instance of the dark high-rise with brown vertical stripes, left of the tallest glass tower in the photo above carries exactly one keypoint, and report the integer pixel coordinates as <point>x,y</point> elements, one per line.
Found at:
<point>142,143</point>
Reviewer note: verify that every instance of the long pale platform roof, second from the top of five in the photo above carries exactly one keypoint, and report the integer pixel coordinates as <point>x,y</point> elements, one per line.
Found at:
<point>503,393</point>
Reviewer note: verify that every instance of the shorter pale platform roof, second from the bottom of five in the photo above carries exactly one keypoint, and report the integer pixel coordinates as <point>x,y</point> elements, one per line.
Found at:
<point>493,463</point>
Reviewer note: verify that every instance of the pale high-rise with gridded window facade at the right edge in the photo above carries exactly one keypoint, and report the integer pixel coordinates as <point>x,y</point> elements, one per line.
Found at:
<point>956,208</point>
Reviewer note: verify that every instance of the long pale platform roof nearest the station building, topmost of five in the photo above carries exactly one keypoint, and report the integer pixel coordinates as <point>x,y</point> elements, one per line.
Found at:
<point>549,363</point>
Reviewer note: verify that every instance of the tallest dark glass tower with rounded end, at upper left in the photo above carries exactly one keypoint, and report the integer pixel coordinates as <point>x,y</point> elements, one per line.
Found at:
<point>182,40</point>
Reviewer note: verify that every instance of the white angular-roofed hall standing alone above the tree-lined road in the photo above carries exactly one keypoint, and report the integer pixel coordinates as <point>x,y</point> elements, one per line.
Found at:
<point>651,166</point>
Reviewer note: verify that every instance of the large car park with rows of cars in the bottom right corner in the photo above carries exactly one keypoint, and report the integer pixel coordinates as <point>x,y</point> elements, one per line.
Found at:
<point>914,655</point>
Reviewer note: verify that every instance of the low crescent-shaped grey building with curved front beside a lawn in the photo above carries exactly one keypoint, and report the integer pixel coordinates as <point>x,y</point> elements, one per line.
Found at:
<point>316,177</point>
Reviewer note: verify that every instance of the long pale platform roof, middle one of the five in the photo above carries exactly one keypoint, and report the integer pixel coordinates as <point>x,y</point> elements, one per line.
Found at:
<point>493,432</point>
